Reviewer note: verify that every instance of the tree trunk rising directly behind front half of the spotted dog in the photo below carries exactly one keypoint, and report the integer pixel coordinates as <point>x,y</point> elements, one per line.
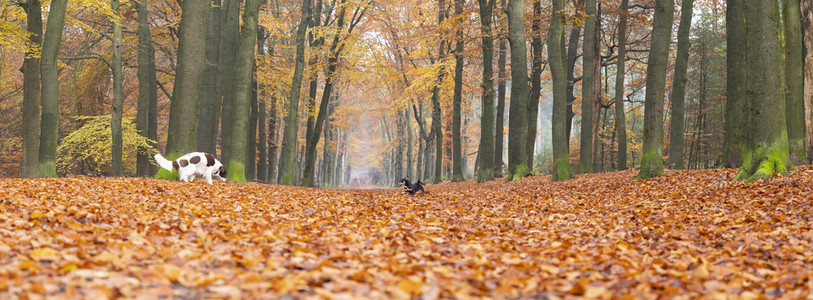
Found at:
<point>210,93</point>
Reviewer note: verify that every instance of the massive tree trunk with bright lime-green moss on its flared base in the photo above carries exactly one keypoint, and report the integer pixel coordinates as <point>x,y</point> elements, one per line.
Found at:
<point>767,149</point>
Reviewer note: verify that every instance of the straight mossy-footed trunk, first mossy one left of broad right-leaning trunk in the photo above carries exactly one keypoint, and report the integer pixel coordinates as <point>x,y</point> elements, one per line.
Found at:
<point>556,55</point>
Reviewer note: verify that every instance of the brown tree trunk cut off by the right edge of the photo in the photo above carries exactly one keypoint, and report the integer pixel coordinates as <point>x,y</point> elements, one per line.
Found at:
<point>807,25</point>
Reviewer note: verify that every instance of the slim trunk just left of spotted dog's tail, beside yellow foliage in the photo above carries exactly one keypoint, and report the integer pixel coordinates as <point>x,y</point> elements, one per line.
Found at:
<point>147,91</point>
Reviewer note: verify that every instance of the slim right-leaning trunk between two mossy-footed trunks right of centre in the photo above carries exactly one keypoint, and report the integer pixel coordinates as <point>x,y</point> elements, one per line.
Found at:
<point>536,84</point>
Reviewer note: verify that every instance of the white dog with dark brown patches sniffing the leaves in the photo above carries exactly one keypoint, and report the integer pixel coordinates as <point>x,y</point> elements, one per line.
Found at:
<point>194,164</point>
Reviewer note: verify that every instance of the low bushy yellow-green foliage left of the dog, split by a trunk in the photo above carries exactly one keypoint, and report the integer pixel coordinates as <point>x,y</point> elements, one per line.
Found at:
<point>90,146</point>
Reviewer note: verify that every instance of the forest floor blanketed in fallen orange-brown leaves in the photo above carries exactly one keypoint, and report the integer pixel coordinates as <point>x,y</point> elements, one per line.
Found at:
<point>688,234</point>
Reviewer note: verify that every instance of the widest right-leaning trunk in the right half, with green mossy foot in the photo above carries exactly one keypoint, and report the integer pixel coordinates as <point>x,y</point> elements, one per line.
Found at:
<point>652,157</point>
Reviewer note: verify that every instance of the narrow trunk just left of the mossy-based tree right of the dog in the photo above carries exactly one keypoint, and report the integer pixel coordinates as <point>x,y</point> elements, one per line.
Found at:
<point>229,32</point>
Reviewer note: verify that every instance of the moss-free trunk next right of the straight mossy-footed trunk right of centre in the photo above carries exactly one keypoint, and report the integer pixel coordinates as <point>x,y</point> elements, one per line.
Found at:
<point>589,61</point>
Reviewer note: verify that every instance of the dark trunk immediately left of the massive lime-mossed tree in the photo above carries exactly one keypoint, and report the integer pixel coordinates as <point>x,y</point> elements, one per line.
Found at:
<point>736,126</point>
